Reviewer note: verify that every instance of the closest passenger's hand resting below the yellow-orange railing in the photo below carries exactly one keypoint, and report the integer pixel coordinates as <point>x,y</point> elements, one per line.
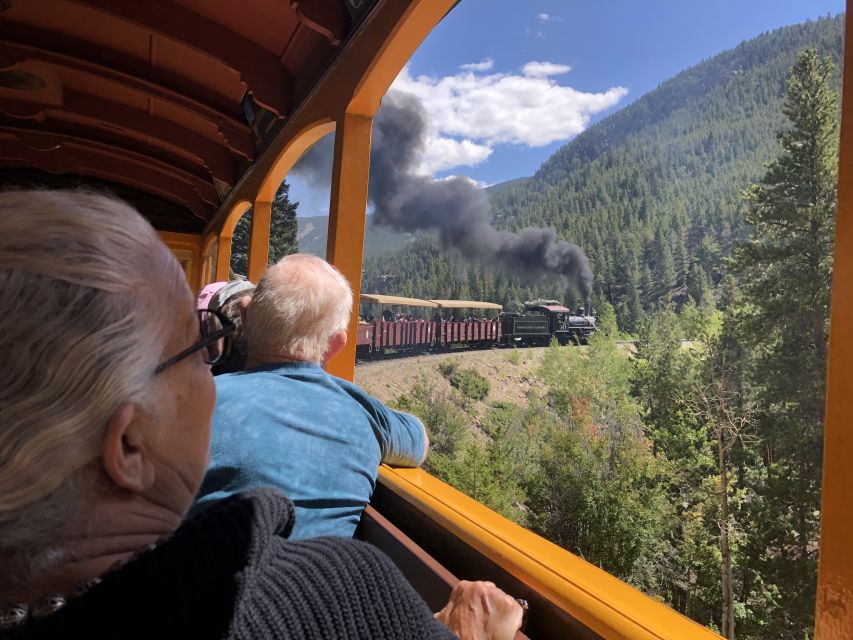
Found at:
<point>481,611</point>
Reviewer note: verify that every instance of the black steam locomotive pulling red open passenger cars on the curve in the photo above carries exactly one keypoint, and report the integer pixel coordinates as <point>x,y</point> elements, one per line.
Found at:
<point>540,322</point>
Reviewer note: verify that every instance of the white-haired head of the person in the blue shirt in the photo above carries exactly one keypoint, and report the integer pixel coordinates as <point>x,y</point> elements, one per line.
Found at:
<point>299,304</point>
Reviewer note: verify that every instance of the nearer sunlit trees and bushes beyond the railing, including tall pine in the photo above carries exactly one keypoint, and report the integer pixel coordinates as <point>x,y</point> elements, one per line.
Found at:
<point>690,471</point>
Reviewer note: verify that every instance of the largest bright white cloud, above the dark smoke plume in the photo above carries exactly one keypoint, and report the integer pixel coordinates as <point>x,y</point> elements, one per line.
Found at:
<point>471,113</point>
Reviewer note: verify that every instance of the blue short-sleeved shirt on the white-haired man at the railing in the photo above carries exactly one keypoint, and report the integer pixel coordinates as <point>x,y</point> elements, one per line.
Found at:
<point>318,438</point>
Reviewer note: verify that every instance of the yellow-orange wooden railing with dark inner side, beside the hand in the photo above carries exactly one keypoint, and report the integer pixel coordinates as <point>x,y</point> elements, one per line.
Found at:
<point>569,598</point>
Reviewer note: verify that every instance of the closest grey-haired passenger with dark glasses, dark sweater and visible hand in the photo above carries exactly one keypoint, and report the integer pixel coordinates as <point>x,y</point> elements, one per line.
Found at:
<point>105,406</point>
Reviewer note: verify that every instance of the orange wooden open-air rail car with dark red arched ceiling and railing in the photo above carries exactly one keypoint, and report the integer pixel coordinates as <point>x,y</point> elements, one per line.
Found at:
<point>195,111</point>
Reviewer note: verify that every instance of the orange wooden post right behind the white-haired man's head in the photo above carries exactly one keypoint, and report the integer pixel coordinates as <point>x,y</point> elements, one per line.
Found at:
<point>347,217</point>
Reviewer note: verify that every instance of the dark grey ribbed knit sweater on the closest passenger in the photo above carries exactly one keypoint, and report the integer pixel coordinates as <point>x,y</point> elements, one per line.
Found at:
<point>231,573</point>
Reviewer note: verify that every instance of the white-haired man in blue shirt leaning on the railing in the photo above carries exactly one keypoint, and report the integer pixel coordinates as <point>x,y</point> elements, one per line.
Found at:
<point>285,422</point>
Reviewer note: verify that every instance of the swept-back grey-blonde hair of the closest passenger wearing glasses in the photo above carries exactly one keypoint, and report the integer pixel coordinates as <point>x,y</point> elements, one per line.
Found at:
<point>80,336</point>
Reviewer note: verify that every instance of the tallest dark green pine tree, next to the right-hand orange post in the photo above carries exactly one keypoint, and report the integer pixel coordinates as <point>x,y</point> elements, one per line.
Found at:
<point>786,269</point>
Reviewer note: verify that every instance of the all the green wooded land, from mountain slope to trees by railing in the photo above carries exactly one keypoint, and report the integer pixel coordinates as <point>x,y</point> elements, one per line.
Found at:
<point>694,474</point>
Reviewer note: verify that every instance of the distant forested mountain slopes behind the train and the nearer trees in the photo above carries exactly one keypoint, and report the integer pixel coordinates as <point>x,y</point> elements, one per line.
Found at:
<point>652,193</point>
